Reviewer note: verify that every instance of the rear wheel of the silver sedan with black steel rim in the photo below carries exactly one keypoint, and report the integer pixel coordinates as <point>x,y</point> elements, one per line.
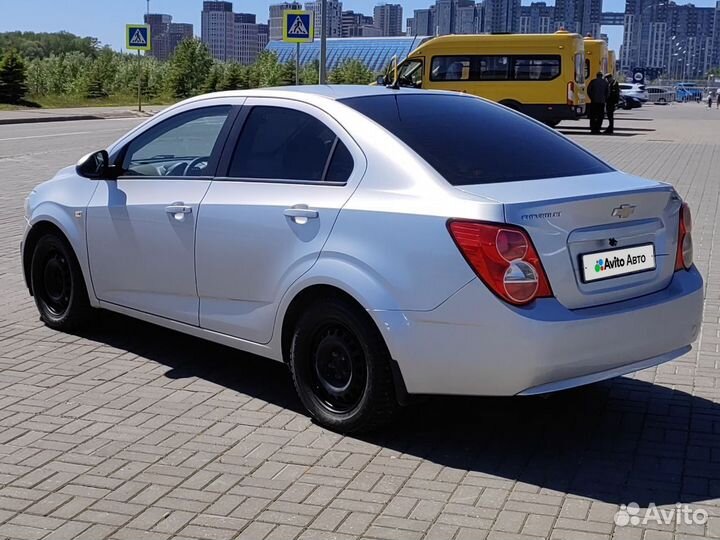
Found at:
<point>341,367</point>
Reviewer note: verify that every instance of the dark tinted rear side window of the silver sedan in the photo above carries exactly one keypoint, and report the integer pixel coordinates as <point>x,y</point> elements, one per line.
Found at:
<point>285,144</point>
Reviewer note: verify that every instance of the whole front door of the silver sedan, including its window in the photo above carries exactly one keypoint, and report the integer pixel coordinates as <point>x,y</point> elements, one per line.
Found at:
<point>141,227</point>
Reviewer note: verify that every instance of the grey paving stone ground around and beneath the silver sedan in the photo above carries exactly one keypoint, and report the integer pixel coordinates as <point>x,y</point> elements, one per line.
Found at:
<point>131,432</point>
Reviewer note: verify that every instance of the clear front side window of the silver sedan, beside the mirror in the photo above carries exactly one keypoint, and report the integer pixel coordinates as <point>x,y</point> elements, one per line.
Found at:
<point>179,146</point>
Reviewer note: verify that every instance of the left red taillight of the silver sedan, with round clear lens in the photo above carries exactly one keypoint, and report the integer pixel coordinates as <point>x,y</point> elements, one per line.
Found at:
<point>505,259</point>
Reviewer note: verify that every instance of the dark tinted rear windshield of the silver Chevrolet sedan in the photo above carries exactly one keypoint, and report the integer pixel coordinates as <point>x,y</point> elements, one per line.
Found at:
<point>470,141</point>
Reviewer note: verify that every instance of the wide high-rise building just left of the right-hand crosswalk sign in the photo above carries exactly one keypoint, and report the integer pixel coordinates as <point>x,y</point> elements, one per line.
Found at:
<point>232,37</point>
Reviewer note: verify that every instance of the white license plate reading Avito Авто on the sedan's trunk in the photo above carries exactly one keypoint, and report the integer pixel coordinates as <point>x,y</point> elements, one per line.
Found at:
<point>618,262</point>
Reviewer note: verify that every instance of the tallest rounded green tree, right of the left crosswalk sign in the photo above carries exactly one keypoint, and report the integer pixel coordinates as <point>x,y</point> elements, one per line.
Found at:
<point>189,68</point>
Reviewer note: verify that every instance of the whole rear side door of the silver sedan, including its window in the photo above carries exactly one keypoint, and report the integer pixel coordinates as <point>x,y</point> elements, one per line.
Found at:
<point>257,236</point>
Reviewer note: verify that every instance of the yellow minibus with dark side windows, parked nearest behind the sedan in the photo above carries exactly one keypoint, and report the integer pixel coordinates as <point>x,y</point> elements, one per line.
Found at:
<point>540,75</point>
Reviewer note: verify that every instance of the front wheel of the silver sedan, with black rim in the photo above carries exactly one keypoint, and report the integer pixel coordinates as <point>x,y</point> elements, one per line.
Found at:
<point>58,285</point>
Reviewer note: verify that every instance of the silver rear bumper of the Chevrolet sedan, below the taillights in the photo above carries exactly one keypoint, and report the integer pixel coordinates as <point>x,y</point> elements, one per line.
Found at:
<point>474,344</point>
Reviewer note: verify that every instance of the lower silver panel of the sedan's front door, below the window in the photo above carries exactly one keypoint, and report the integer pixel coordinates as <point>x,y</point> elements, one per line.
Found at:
<point>142,252</point>
